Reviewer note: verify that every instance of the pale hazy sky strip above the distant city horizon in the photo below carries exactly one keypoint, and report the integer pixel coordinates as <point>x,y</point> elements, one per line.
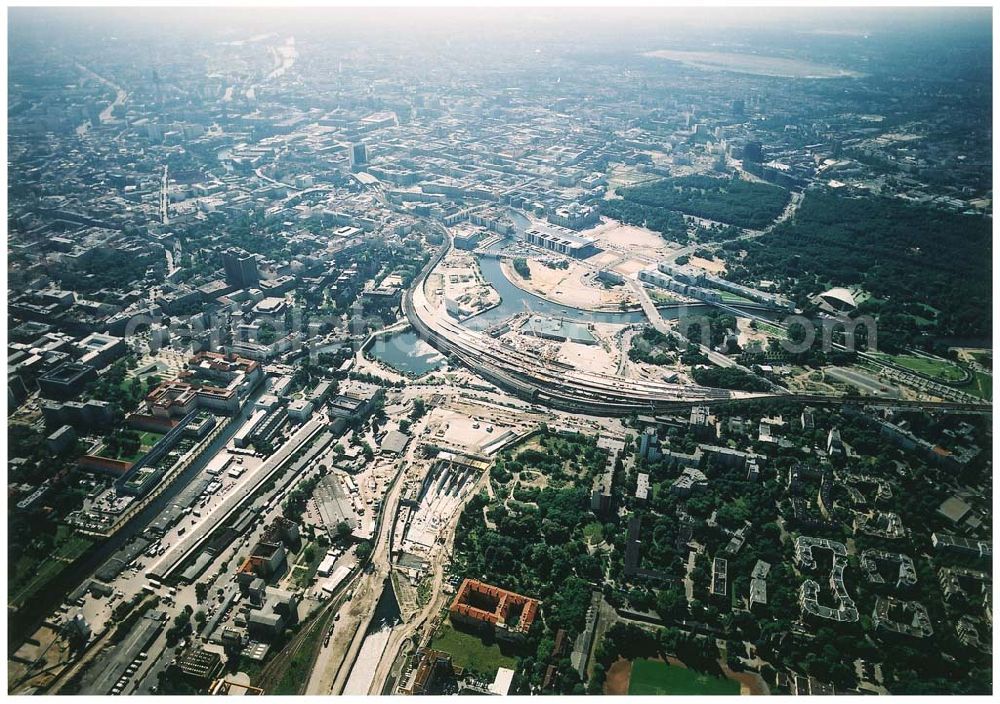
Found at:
<point>891,20</point>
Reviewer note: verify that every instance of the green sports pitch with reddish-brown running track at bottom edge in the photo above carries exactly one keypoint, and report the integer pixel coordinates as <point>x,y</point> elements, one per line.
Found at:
<point>655,677</point>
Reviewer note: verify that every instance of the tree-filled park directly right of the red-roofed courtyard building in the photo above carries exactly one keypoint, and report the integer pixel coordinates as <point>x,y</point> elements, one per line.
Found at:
<point>536,545</point>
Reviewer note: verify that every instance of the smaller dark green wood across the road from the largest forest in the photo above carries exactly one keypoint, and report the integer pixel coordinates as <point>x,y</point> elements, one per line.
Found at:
<point>731,201</point>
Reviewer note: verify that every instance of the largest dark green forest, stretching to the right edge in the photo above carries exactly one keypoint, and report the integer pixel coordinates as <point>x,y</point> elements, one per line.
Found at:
<point>927,270</point>
